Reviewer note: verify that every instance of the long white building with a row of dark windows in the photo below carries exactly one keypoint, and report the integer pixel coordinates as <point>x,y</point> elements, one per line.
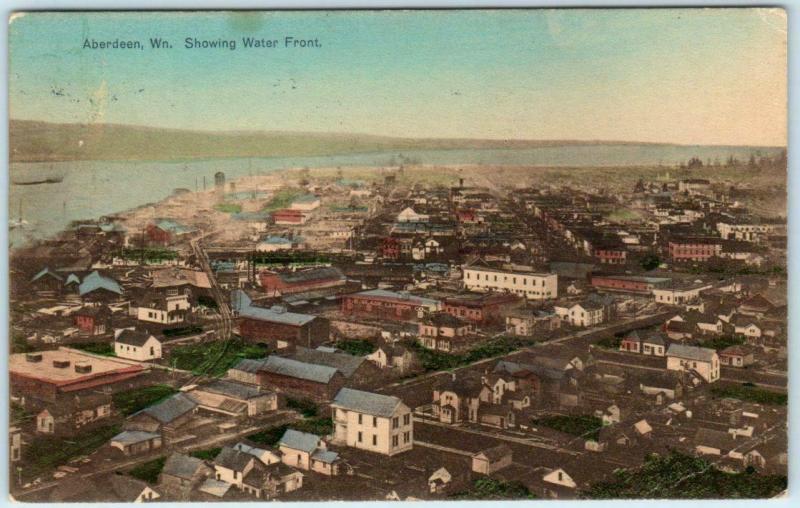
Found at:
<point>532,285</point>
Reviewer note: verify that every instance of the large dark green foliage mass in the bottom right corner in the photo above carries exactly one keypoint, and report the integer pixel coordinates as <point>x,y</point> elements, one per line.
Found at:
<point>679,476</point>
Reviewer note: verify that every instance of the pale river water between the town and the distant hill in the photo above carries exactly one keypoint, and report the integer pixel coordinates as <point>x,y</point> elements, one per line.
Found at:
<point>91,189</point>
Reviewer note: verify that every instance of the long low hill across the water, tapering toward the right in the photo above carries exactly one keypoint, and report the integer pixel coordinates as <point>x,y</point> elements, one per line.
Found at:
<point>34,141</point>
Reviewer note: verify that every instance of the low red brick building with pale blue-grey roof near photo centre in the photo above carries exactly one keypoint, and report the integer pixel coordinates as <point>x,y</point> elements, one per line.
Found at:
<point>389,305</point>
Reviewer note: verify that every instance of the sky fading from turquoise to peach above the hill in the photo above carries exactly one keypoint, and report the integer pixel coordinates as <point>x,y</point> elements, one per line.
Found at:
<point>708,76</point>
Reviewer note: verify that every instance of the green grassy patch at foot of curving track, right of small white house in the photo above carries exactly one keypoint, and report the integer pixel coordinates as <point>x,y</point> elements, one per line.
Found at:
<point>214,358</point>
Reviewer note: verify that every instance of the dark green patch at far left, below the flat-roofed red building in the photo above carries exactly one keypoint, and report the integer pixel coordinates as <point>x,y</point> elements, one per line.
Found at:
<point>43,453</point>
